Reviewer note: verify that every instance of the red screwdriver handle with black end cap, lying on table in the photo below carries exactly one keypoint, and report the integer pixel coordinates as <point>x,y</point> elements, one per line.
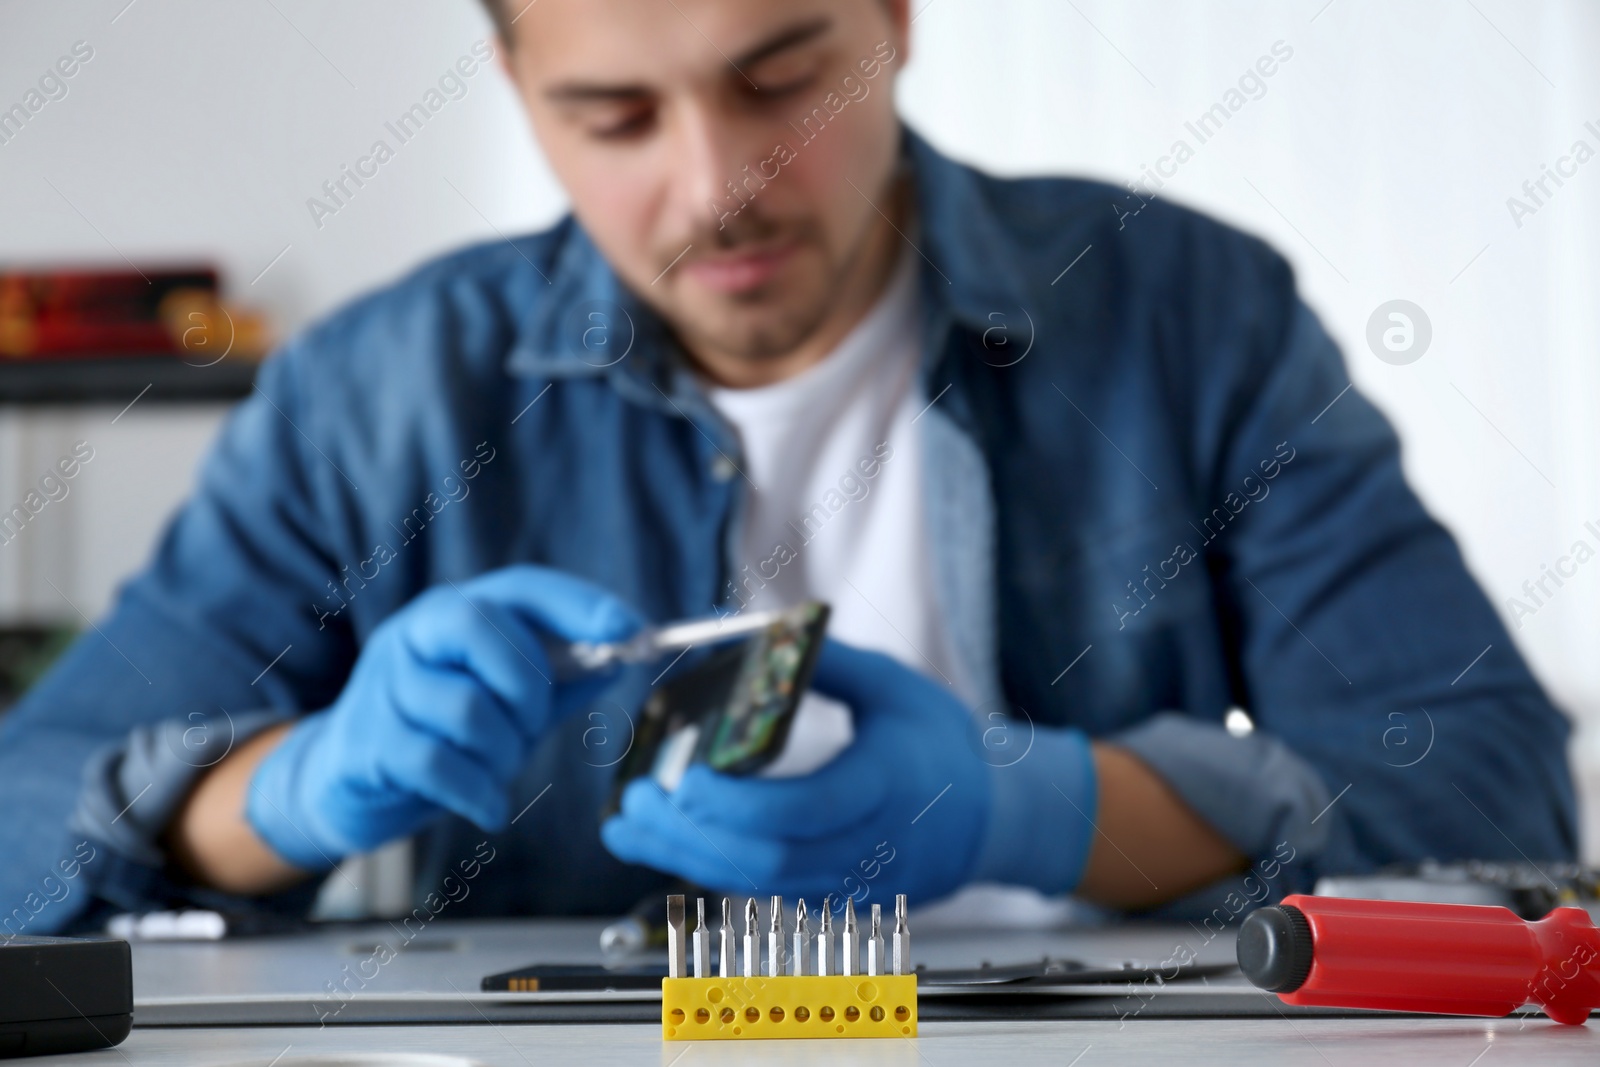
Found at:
<point>1446,959</point>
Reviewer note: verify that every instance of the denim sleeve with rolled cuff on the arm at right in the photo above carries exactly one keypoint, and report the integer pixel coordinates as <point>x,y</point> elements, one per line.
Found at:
<point>1394,717</point>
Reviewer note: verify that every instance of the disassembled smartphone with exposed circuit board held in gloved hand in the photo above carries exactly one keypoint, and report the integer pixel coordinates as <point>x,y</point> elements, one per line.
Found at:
<point>732,706</point>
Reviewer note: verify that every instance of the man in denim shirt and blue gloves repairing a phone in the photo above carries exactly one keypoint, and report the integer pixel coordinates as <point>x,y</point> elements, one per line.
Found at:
<point>1082,484</point>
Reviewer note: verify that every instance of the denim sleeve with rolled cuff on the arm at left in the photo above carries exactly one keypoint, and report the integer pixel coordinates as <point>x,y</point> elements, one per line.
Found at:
<point>210,644</point>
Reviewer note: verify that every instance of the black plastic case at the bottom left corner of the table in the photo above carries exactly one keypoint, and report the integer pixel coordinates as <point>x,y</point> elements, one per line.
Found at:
<point>63,996</point>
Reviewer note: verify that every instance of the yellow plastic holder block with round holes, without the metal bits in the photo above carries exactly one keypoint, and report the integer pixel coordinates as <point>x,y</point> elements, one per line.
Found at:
<point>788,1007</point>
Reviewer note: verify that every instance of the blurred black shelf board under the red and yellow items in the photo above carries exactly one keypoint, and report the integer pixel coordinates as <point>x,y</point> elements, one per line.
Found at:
<point>119,380</point>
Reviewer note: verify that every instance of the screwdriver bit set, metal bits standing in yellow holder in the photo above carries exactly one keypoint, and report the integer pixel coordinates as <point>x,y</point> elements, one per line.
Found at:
<point>798,986</point>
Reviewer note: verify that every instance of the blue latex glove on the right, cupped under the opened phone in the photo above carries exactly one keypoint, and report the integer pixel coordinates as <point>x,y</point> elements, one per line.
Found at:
<point>922,802</point>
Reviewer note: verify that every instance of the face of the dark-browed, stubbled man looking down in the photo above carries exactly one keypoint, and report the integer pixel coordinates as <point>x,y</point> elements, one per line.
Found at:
<point>729,158</point>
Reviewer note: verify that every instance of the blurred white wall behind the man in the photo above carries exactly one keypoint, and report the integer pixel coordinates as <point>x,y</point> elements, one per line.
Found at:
<point>1380,161</point>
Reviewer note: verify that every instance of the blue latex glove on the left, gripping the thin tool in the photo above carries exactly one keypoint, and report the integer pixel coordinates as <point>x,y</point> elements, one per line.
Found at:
<point>447,701</point>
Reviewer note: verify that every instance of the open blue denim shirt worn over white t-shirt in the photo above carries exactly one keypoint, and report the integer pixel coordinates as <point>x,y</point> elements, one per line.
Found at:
<point>1151,498</point>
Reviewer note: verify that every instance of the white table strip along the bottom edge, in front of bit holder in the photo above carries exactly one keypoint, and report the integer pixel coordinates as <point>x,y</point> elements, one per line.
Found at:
<point>1174,1044</point>
